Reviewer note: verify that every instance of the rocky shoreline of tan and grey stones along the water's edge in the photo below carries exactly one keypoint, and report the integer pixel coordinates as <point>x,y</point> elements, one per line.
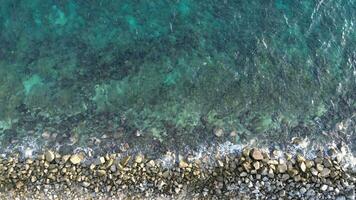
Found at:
<point>251,174</point>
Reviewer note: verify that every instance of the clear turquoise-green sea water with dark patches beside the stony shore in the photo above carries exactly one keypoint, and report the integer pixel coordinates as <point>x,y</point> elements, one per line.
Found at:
<point>162,75</point>
